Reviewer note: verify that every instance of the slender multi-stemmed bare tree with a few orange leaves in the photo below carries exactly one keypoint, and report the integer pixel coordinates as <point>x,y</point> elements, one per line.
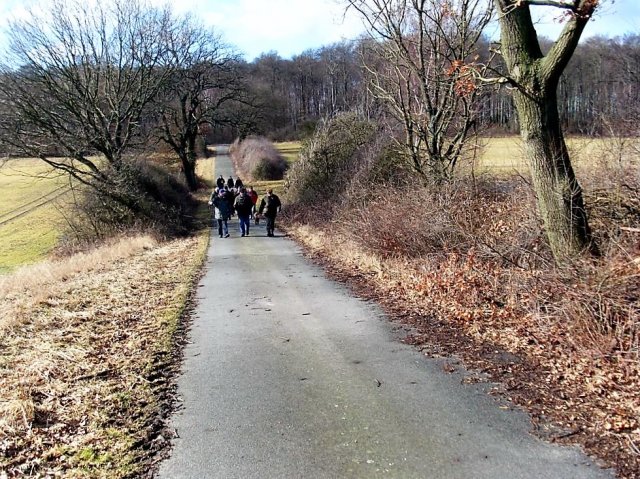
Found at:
<point>423,68</point>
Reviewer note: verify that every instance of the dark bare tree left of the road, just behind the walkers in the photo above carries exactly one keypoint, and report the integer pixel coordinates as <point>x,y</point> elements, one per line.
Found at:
<point>206,77</point>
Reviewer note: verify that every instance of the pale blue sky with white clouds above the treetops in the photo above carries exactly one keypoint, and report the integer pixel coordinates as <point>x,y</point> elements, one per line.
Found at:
<point>291,26</point>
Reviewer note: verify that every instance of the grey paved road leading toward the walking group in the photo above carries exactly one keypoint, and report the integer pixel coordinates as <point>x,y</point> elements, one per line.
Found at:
<point>288,376</point>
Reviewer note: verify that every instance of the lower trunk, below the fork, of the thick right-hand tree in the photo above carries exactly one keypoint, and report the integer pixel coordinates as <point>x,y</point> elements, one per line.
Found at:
<point>558,192</point>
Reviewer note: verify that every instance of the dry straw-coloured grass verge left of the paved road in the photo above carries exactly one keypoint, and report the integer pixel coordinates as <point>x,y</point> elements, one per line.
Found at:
<point>81,378</point>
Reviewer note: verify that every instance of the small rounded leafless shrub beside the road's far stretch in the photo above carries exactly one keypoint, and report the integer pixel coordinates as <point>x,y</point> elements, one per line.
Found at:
<point>257,158</point>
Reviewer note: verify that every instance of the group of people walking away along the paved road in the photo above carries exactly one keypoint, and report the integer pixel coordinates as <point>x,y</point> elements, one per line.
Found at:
<point>231,197</point>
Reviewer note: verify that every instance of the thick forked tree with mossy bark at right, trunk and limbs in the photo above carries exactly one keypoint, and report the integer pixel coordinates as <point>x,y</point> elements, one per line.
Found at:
<point>534,78</point>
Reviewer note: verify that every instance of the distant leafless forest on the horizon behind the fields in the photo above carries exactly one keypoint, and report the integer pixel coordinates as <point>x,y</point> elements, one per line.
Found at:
<point>599,92</point>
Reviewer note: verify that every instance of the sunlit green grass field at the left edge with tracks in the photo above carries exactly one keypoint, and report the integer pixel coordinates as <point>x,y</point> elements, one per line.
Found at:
<point>30,237</point>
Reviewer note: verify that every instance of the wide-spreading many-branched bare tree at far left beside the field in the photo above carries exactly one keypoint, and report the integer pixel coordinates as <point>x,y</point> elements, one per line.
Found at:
<point>77,83</point>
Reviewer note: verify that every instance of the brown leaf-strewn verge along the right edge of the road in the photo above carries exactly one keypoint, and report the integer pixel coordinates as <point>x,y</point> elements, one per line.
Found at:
<point>573,395</point>
